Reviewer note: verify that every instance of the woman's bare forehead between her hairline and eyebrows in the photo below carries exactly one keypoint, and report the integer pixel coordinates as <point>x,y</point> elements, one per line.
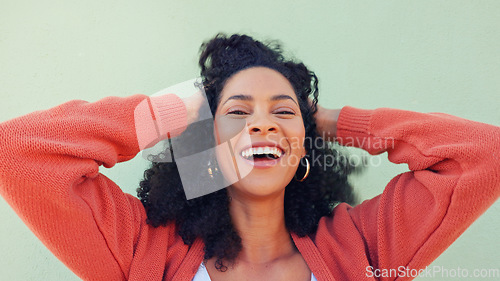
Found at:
<point>258,82</point>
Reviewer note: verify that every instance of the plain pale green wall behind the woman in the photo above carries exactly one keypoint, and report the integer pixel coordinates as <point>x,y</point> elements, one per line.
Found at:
<point>427,56</point>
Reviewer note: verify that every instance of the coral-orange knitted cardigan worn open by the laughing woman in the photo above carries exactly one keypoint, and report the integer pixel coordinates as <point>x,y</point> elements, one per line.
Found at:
<point>49,174</point>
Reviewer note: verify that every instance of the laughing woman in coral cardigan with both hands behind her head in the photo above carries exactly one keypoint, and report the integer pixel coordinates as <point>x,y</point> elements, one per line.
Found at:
<point>263,226</point>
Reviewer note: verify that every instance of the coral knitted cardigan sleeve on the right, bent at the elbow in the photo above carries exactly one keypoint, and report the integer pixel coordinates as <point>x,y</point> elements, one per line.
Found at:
<point>454,177</point>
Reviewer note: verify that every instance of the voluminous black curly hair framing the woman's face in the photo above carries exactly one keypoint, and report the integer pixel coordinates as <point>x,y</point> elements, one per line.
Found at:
<point>207,217</point>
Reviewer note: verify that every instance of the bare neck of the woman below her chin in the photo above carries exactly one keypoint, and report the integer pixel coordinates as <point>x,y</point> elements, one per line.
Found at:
<point>261,226</point>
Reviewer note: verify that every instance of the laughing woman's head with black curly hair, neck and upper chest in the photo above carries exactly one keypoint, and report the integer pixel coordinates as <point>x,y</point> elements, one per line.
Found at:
<point>254,94</point>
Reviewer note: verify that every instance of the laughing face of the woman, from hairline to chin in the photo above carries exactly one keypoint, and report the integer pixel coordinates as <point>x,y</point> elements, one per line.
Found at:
<point>259,126</point>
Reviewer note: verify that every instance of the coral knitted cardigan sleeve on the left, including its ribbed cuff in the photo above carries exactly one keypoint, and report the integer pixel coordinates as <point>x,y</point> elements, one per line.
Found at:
<point>49,174</point>
